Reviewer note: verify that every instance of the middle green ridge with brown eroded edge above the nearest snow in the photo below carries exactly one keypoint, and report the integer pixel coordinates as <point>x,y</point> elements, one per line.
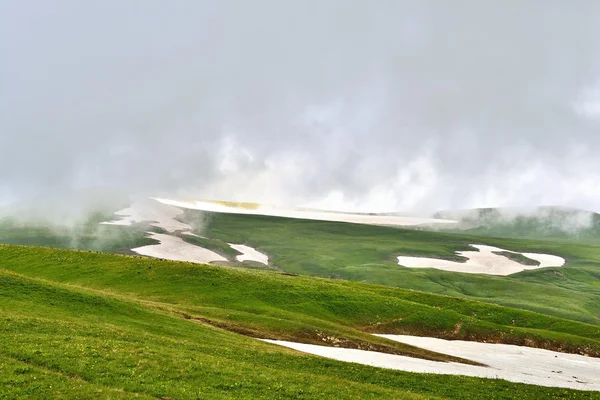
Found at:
<point>277,306</point>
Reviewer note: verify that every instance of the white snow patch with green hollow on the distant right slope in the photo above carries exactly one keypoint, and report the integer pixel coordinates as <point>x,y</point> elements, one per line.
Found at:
<point>483,261</point>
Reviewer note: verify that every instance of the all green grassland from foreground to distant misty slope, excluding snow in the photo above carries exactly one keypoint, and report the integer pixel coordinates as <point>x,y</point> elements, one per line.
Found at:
<point>88,324</point>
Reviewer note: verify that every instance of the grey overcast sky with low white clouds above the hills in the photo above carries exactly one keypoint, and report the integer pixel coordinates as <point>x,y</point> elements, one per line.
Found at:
<point>385,105</point>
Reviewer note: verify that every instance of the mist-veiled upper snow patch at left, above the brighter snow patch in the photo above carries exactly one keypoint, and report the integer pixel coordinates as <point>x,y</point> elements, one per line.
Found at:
<point>161,215</point>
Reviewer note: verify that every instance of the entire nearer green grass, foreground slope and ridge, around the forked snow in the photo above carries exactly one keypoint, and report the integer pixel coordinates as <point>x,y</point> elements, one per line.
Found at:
<point>88,325</point>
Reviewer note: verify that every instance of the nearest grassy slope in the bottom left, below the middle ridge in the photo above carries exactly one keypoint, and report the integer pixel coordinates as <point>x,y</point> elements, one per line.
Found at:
<point>92,346</point>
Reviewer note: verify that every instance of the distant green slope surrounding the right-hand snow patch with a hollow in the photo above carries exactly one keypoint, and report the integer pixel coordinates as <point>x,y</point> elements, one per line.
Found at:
<point>367,254</point>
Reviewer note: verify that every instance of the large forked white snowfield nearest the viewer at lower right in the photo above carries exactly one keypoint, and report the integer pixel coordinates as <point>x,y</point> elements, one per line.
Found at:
<point>512,363</point>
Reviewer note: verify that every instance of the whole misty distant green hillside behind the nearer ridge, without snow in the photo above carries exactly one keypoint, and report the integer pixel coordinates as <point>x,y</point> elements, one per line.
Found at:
<point>359,253</point>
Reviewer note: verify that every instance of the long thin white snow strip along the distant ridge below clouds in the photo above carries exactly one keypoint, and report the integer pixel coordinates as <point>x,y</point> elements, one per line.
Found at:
<point>376,219</point>
